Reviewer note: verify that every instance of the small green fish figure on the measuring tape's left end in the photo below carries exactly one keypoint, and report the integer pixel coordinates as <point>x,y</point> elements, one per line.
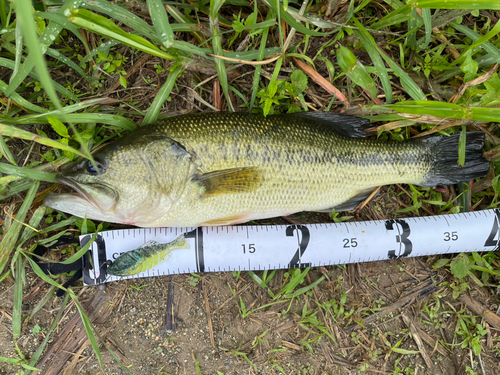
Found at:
<point>145,257</point>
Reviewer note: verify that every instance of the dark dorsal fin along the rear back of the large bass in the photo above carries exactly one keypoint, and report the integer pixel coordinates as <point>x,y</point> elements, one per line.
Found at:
<point>348,126</point>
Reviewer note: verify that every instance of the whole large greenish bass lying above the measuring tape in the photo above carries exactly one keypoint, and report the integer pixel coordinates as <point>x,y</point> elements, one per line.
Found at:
<point>228,168</point>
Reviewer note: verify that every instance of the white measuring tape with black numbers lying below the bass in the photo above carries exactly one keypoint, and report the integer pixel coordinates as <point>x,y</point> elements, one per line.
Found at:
<point>265,247</point>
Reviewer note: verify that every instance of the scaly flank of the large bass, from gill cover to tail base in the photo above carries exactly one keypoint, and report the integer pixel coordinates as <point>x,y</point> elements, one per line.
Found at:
<point>301,164</point>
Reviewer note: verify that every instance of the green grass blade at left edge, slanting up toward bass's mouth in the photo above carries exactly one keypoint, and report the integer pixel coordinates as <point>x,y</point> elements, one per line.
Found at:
<point>12,233</point>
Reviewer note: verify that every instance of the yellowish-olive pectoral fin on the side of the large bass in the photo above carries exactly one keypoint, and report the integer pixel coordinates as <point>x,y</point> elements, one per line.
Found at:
<point>229,181</point>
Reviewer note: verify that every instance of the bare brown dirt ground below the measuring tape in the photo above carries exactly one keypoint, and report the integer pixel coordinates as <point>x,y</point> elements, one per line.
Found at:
<point>401,301</point>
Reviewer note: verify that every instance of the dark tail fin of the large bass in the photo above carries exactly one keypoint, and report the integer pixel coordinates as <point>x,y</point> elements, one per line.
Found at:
<point>446,168</point>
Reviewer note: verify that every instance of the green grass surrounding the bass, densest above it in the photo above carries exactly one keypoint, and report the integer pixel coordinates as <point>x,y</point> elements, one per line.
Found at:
<point>407,64</point>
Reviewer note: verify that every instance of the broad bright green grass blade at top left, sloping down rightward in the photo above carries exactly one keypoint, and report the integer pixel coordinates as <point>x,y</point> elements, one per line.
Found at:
<point>103,26</point>
